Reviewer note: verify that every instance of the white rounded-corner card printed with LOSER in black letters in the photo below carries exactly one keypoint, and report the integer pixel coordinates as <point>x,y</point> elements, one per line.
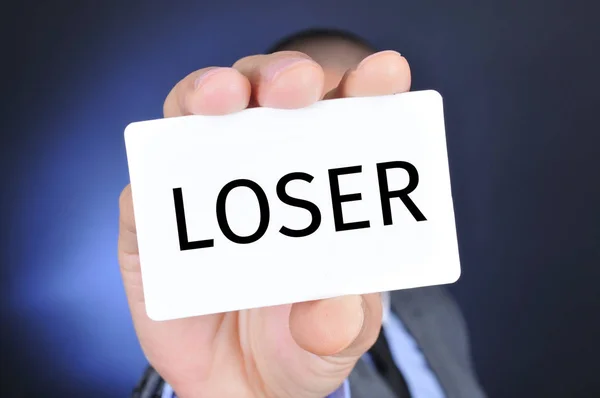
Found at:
<point>237,211</point>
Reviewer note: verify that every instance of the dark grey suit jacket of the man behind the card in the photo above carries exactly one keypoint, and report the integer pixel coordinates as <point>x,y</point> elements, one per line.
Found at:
<point>436,324</point>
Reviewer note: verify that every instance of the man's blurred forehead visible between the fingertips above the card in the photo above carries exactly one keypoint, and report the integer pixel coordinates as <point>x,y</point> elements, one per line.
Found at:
<point>335,55</point>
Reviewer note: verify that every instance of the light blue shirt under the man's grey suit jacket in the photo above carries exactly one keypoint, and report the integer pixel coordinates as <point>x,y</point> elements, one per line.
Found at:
<point>407,355</point>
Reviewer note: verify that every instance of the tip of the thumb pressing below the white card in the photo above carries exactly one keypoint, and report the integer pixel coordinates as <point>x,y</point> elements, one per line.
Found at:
<point>345,326</point>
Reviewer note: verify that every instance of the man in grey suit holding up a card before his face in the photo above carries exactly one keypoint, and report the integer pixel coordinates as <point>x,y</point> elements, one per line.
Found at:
<point>325,348</point>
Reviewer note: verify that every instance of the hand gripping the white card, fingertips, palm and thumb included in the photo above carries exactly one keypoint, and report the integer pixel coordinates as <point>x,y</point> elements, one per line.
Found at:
<point>305,350</point>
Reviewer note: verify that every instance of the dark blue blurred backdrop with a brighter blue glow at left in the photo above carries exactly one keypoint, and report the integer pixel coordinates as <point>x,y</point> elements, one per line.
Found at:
<point>521,86</point>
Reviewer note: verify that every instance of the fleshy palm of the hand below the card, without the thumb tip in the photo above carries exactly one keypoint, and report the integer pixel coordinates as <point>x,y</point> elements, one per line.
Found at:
<point>243,345</point>
